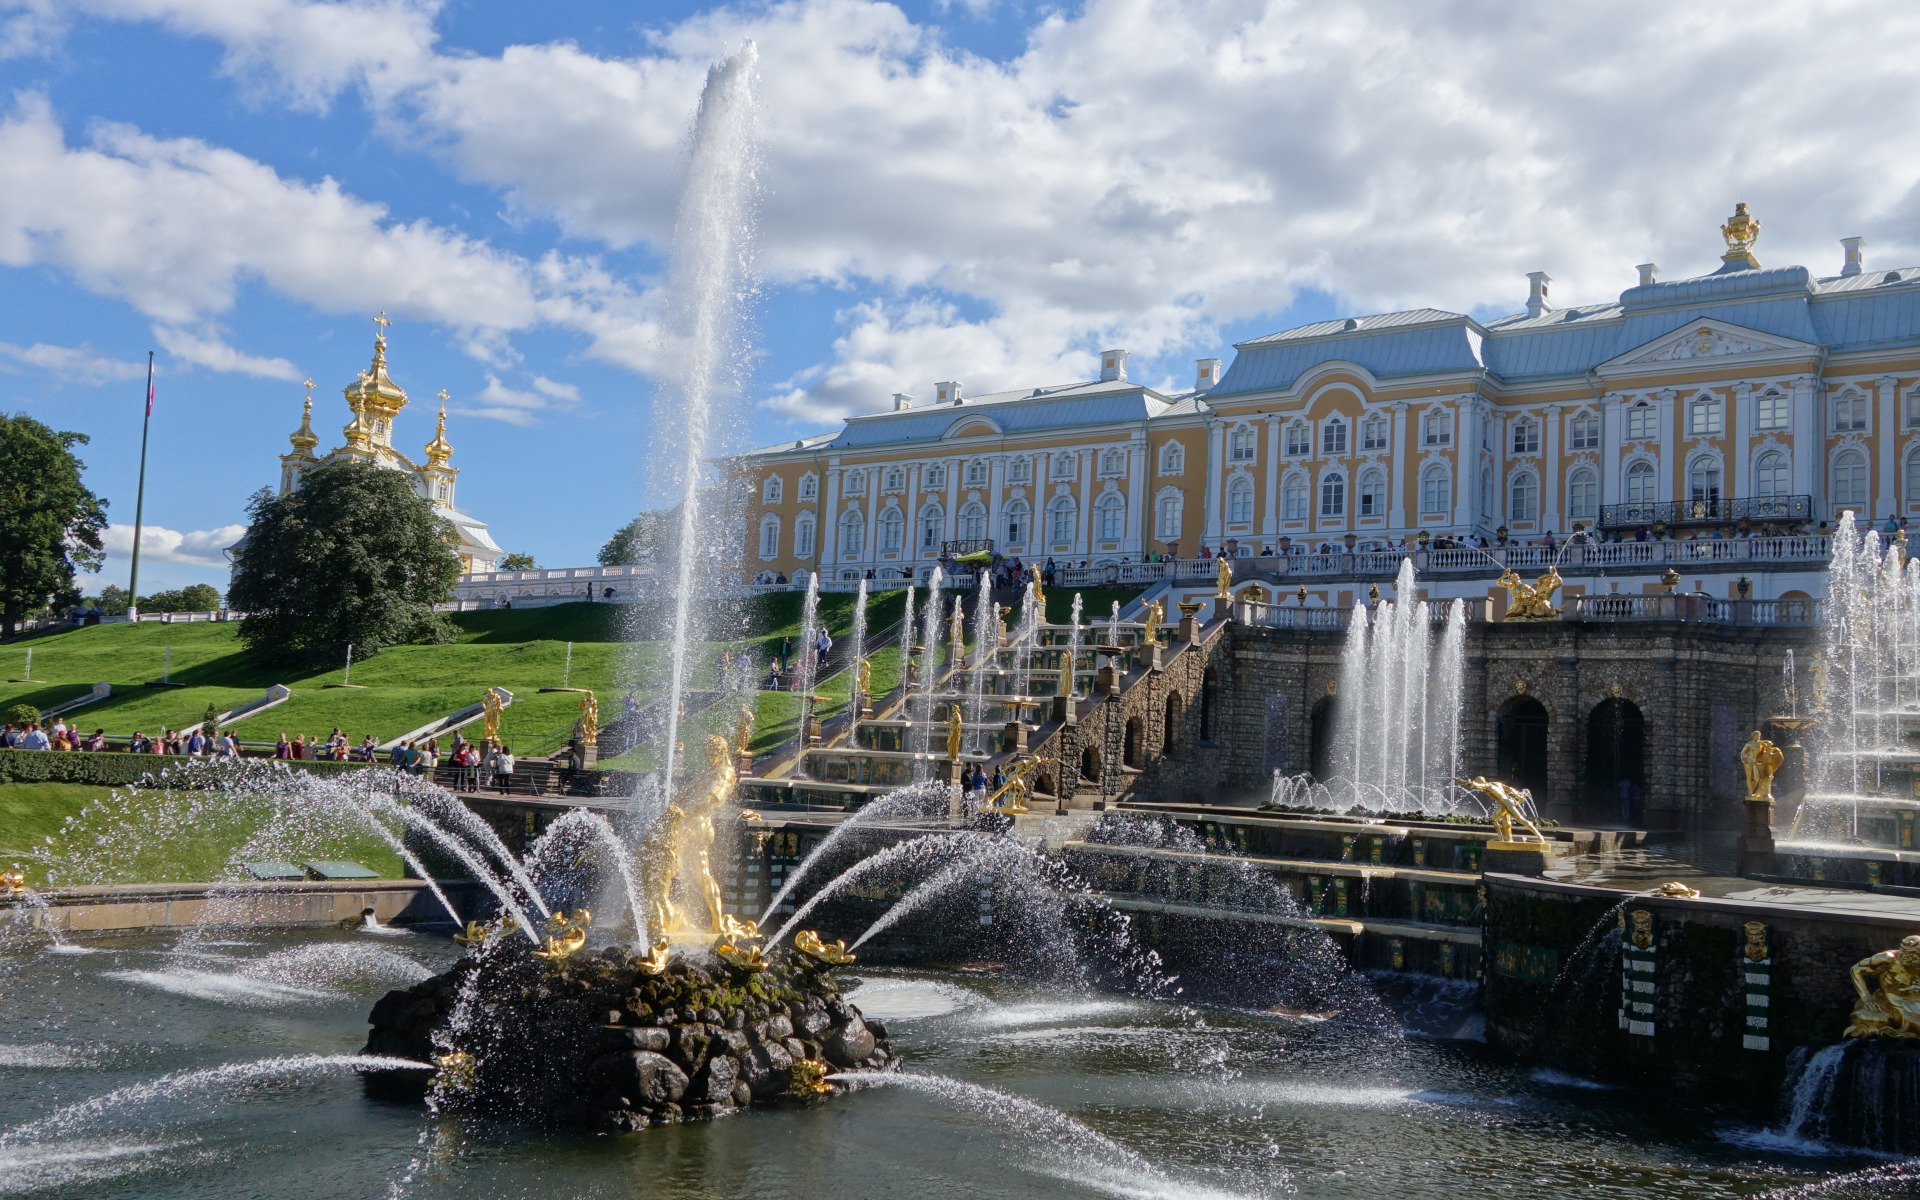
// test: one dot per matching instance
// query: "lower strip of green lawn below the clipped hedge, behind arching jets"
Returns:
(164, 838)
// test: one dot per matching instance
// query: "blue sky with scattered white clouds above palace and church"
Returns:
(949, 191)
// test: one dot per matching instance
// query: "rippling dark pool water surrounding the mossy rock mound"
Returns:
(1011, 1092)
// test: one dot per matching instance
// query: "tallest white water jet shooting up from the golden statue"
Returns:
(708, 289)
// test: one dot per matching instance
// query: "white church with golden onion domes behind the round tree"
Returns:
(375, 402)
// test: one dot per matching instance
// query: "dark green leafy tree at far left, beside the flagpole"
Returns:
(49, 521)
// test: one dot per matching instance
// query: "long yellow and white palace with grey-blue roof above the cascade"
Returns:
(1746, 402)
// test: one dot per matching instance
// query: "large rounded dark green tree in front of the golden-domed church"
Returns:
(354, 556)
